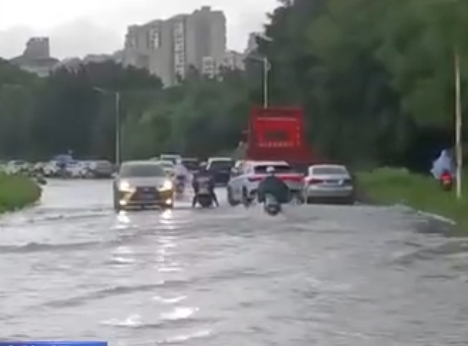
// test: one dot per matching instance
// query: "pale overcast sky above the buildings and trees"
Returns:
(81, 27)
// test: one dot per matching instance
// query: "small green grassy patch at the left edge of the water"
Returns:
(17, 191)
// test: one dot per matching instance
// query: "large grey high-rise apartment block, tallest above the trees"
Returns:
(167, 48)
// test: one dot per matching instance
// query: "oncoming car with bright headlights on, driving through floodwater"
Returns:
(142, 184)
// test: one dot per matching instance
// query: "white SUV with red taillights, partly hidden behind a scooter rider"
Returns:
(244, 183)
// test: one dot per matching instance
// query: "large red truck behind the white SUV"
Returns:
(277, 133)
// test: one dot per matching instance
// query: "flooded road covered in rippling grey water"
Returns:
(317, 275)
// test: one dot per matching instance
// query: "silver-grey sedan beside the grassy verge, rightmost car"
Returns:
(329, 182)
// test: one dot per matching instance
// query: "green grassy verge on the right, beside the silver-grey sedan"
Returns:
(391, 186)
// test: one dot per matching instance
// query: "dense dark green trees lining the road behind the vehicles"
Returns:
(376, 79)
